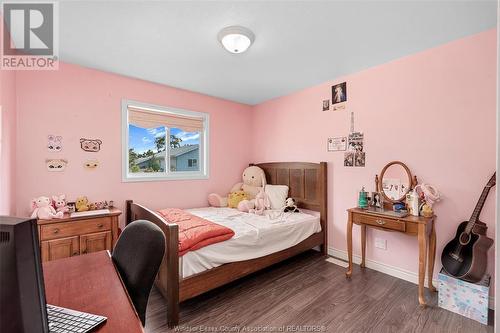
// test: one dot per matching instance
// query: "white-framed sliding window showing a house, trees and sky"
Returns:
(164, 151)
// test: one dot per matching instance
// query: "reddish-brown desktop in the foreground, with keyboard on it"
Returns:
(91, 284)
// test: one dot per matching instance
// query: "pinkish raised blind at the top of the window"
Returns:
(150, 119)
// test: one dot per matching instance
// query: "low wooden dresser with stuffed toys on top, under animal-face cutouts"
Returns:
(67, 237)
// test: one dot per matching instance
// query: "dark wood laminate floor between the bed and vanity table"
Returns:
(307, 290)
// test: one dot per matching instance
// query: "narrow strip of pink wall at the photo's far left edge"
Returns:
(8, 142)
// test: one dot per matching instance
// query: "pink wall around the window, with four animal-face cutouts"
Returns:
(78, 102)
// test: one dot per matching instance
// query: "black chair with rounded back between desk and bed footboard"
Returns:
(137, 256)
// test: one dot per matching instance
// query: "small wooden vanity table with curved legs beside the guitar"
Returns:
(421, 227)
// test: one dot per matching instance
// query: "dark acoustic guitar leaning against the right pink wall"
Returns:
(465, 256)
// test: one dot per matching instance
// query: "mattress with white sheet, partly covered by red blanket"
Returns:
(255, 236)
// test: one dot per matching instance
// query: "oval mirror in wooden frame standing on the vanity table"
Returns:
(395, 181)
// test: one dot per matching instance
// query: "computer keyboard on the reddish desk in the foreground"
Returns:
(62, 320)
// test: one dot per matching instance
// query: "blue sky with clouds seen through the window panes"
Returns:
(142, 139)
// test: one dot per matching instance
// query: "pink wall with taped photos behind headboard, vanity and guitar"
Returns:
(434, 110)
